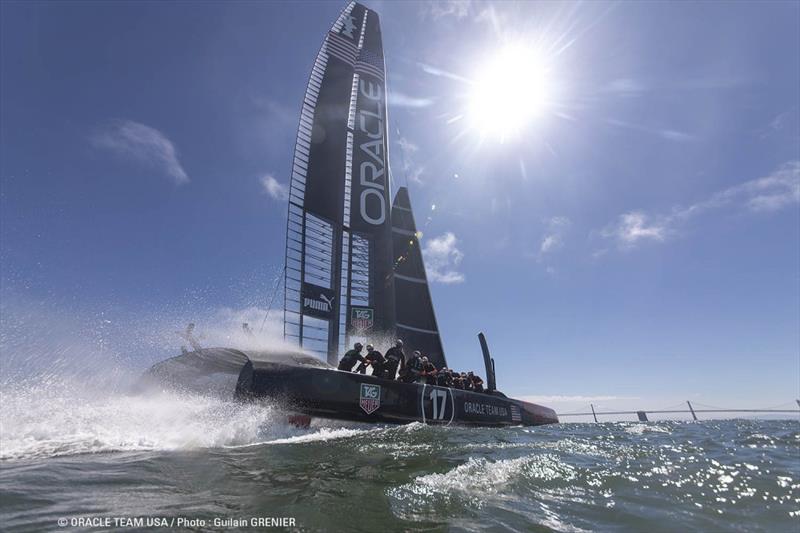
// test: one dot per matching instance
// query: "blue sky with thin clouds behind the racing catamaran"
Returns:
(633, 243)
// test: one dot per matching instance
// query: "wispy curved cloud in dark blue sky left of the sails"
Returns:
(144, 144)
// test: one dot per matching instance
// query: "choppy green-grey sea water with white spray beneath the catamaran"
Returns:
(69, 456)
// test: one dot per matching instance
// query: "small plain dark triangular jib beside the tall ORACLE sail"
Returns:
(415, 318)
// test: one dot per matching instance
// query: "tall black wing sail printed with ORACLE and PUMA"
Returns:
(339, 278)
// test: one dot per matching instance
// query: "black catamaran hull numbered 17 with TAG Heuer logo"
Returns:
(320, 391)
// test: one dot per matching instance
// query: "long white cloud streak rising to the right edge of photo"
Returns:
(769, 193)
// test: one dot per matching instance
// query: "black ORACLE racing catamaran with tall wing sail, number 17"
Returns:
(354, 269)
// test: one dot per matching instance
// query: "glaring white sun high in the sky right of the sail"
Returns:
(510, 90)
